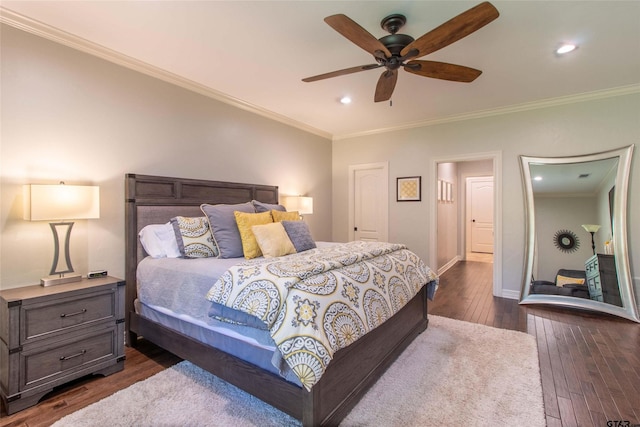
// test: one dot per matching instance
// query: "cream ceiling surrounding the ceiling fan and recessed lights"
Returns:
(254, 54)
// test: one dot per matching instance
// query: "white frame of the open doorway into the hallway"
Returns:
(496, 157)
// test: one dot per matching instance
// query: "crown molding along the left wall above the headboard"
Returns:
(48, 32)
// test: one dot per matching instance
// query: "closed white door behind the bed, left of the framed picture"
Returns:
(370, 202)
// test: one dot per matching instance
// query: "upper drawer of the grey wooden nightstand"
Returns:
(55, 316)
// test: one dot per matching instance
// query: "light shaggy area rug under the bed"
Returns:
(455, 373)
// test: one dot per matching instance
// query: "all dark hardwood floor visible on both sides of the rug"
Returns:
(589, 363)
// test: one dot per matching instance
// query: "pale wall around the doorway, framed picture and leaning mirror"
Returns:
(563, 130)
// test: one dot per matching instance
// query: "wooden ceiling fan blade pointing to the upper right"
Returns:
(453, 30)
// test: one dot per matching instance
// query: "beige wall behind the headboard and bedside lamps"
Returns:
(73, 117)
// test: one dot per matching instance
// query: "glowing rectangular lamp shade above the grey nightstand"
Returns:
(60, 202)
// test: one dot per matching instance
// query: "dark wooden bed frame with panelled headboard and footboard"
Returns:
(156, 199)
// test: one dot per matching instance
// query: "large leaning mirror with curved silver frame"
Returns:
(576, 253)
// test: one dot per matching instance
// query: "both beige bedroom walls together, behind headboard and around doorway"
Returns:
(70, 116)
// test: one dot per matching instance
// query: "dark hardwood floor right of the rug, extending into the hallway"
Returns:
(589, 362)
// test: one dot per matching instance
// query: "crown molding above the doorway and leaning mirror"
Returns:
(536, 105)
